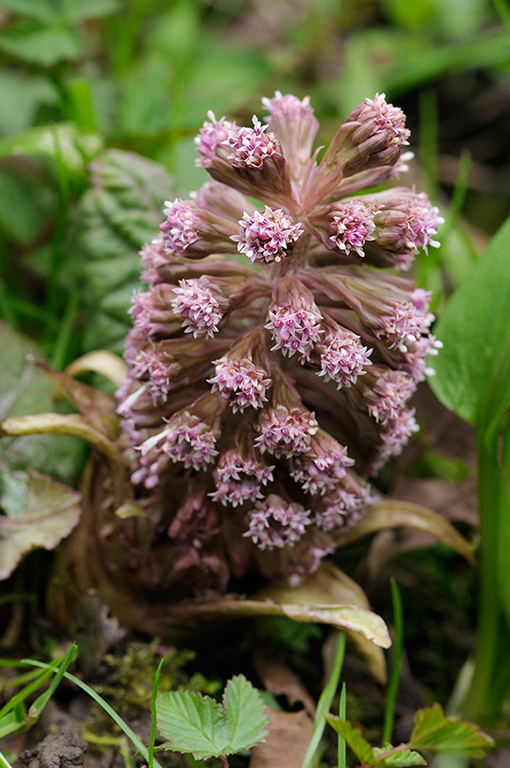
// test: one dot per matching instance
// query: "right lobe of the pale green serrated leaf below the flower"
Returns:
(246, 718)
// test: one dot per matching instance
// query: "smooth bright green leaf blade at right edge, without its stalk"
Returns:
(475, 331)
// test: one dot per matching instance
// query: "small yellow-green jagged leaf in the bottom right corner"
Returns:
(436, 732)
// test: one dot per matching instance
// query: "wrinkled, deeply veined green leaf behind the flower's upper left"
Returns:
(114, 218)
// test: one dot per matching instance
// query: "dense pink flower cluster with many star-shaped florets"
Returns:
(272, 354)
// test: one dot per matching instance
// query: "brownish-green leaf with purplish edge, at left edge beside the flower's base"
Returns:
(52, 511)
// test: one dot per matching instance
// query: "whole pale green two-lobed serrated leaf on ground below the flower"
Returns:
(199, 725)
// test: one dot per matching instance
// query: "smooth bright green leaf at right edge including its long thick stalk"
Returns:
(473, 379)
